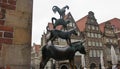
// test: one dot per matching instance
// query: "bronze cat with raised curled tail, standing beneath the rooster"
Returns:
(59, 22)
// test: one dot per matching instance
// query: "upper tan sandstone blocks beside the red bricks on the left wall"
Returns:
(20, 19)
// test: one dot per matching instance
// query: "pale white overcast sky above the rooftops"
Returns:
(42, 12)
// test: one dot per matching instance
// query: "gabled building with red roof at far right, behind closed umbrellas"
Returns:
(111, 38)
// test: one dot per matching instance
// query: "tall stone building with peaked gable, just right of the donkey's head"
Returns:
(90, 30)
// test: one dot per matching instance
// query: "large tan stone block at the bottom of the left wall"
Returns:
(16, 56)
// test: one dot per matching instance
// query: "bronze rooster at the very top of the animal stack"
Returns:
(60, 11)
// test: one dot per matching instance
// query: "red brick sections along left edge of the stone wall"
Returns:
(6, 32)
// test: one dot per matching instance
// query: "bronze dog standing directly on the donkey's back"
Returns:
(64, 35)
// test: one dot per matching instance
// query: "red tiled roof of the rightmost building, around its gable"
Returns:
(115, 22)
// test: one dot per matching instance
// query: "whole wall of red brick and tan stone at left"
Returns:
(15, 33)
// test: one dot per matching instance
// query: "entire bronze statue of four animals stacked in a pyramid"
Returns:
(56, 52)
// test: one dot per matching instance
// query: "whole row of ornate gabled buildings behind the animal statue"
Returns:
(88, 29)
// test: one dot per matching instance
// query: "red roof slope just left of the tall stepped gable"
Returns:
(81, 23)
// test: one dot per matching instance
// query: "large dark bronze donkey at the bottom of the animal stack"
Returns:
(61, 53)
